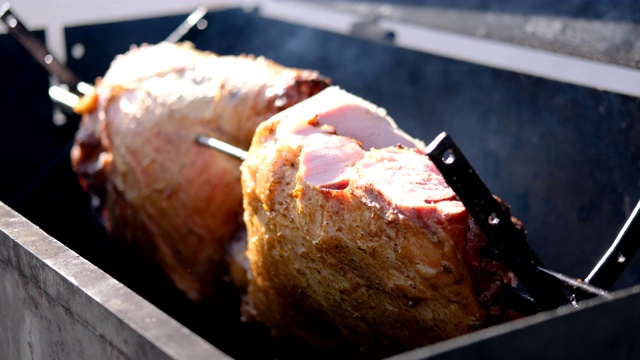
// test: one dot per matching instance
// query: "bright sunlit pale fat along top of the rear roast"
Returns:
(177, 77)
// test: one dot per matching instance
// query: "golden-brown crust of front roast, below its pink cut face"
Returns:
(329, 269)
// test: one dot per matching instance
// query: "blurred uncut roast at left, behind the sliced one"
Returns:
(158, 191)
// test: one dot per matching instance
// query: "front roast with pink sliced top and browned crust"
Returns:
(355, 237)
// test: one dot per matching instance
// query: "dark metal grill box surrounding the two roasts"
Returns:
(564, 156)
